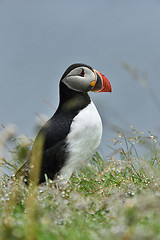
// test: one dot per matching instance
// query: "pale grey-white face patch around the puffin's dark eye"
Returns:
(80, 79)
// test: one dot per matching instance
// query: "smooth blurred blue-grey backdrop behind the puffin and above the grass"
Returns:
(40, 39)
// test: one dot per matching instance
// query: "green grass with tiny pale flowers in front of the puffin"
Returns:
(115, 198)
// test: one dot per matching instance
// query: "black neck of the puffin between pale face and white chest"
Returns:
(71, 100)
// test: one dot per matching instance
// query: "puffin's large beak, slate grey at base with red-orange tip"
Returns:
(102, 83)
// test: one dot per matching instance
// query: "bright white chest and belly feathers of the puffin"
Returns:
(83, 139)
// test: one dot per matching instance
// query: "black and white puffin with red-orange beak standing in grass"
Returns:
(69, 139)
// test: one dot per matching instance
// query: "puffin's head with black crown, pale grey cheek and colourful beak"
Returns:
(83, 78)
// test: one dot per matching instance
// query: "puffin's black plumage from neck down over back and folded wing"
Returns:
(57, 128)
